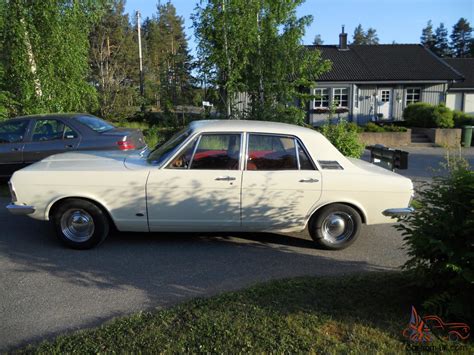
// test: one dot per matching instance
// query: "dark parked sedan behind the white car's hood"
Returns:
(25, 140)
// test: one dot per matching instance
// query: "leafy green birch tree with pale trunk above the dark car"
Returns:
(45, 56)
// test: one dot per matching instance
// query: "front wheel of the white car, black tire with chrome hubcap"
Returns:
(80, 224)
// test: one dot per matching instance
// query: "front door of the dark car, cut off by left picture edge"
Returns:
(12, 136)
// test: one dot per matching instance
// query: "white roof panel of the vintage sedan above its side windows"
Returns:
(248, 126)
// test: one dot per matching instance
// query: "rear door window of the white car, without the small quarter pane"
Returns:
(271, 152)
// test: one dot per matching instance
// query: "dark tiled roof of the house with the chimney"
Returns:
(384, 62)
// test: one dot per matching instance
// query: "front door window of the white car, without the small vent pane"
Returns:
(217, 152)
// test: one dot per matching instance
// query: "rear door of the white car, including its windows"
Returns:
(280, 183)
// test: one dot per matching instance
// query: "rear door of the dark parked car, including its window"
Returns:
(48, 137)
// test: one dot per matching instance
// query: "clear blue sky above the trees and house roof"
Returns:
(400, 21)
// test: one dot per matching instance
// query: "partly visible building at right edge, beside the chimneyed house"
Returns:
(461, 95)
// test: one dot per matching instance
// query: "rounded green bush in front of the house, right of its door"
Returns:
(424, 115)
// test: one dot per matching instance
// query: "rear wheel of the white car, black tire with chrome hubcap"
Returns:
(335, 227)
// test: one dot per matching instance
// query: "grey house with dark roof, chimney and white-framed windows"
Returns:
(376, 82)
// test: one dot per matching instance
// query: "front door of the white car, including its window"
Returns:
(199, 190)
